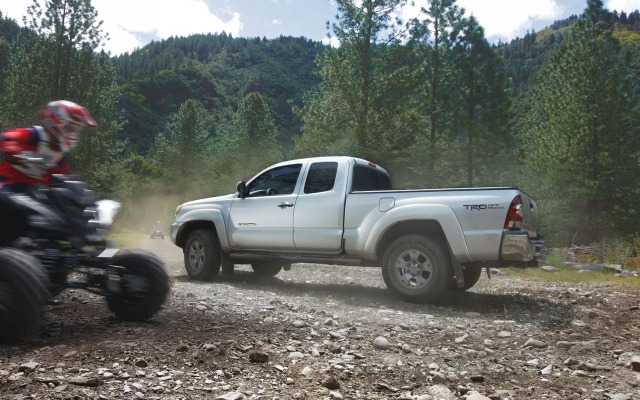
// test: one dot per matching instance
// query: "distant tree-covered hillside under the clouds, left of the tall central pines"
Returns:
(218, 71)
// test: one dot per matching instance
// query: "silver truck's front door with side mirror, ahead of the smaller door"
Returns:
(264, 219)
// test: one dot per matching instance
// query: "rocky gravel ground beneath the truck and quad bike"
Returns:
(330, 332)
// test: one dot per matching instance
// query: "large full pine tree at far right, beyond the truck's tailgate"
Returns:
(582, 144)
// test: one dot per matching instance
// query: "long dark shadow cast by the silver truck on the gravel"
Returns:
(522, 308)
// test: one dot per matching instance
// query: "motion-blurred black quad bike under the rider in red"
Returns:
(53, 239)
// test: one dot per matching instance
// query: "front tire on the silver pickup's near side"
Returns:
(202, 255)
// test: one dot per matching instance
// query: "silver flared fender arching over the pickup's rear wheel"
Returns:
(439, 213)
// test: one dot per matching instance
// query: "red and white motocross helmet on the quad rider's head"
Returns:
(66, 120)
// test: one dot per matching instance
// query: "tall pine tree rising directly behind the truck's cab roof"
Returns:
(358, 108)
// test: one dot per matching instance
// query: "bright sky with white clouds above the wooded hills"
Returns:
(133, 23)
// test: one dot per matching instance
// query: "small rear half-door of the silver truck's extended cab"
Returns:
(319, 212)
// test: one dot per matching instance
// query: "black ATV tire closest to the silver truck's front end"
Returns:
(144, 285)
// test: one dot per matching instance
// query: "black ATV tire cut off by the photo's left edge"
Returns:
(23, 291)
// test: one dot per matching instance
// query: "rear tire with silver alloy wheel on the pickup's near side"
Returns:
(416, 268)
